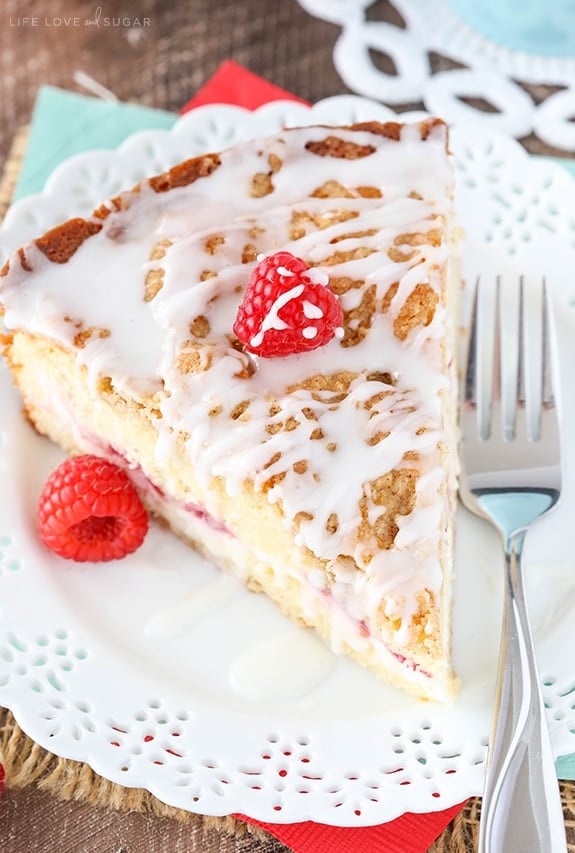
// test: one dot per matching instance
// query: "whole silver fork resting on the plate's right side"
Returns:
(512, 476)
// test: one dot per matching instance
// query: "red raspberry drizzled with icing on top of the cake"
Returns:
(287, 308)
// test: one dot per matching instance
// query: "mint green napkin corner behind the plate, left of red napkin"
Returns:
(66, 123)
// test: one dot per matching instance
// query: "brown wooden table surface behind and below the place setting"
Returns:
(160, 61)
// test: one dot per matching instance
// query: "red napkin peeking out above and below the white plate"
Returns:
(410, 833)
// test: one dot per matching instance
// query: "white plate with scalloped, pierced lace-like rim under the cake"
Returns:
(162, 674)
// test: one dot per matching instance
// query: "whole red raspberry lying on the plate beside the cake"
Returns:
(89, 510)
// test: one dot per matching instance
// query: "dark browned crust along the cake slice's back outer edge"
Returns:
(60, 243)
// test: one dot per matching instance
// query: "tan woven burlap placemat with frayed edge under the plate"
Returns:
(26, 763)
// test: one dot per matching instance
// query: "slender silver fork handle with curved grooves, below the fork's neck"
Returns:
(521, 806)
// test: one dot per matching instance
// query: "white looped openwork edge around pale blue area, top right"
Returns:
(491, 71)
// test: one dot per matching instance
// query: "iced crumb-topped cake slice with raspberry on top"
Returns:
(324, 472)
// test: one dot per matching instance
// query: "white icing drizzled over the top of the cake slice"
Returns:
(102, 286)
